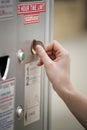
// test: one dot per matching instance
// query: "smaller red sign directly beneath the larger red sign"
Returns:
(31, 18)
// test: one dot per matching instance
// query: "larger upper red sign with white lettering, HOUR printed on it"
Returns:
(30, 8)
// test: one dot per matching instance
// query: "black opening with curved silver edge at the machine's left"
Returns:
(4, 66)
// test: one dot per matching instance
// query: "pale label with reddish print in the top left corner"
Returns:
(6, 8)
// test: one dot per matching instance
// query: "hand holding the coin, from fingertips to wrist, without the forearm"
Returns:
(57, 64)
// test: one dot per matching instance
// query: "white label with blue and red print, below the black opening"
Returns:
(7, 97)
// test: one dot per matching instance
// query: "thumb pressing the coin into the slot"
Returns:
(43, 55)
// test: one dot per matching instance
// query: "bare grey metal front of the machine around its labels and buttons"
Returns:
(15, 42)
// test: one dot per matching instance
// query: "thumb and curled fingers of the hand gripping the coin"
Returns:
(50, 53)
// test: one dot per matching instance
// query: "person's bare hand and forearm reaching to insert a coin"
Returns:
(56, 61)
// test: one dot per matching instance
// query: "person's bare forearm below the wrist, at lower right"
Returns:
(77, 103)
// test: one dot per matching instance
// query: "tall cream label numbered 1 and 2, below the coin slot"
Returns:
(32, 93)
